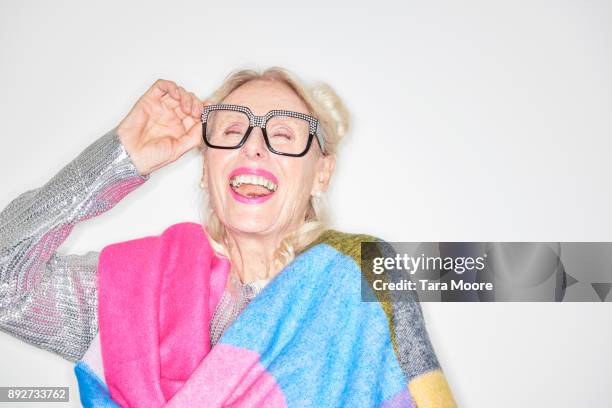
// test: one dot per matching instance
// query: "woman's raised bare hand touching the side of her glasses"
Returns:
(163, 125)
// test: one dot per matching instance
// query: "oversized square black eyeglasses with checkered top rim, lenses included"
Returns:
(285, 132)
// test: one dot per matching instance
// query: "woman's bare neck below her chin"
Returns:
(252, 255)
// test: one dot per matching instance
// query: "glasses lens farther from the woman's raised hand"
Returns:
(288, 134)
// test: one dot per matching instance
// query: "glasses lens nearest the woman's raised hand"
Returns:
(226, 128)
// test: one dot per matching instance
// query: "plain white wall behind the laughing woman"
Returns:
(473, 121)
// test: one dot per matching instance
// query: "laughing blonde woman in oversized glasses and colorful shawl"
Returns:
(261, 307)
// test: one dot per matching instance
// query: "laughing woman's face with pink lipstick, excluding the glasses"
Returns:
(255, 209)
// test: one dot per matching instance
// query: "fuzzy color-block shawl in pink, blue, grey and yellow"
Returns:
(307, 340)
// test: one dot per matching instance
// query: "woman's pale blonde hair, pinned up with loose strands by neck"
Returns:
(324, 104)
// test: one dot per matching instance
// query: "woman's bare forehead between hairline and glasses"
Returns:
(262, 96)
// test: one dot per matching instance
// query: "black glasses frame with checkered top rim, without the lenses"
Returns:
(314, 128)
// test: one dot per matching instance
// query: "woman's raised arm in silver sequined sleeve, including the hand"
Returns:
(49, 299)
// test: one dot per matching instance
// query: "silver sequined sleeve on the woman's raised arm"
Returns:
(46, 298)
